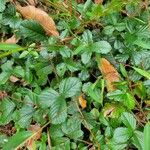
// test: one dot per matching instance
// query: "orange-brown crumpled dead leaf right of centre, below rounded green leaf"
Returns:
(109, 73)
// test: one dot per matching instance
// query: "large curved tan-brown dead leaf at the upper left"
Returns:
(31, 12)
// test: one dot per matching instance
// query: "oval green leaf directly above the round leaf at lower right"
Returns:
(128, 120)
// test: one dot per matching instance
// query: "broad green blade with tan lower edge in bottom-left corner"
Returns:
(17, 140)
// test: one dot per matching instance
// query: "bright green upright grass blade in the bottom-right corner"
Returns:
(147, 136)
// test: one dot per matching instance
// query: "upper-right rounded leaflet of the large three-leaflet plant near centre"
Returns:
(70, 87)
